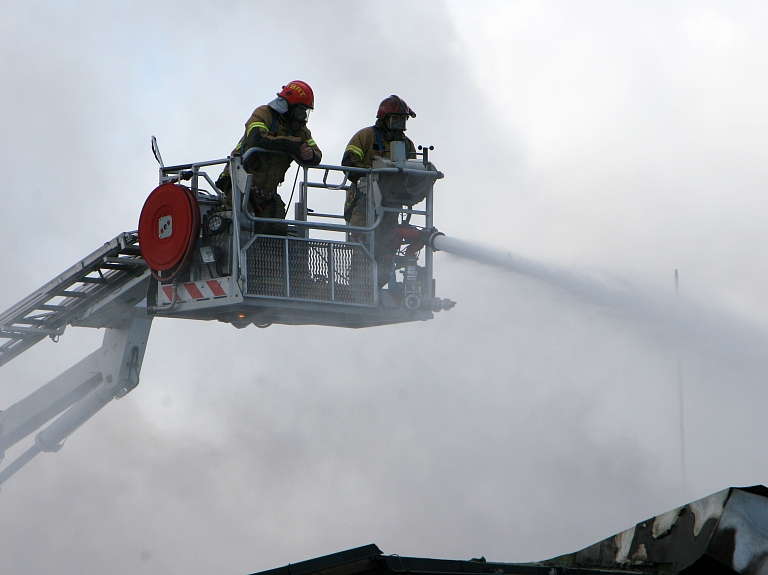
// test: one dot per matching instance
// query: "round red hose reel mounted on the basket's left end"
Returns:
(169, 228)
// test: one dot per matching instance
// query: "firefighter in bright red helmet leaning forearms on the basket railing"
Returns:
(280, 126)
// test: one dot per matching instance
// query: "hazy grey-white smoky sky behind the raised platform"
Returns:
(616, 140)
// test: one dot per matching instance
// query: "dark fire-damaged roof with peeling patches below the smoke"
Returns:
(722, 534)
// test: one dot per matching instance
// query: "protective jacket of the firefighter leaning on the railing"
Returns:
(272, 131)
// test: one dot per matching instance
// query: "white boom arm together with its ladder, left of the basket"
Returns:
(101, 290)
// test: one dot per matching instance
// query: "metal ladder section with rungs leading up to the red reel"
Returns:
(47, 311)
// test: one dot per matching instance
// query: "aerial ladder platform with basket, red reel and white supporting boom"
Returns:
(200, 253)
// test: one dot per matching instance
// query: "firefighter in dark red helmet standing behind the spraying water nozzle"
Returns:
(365, 145)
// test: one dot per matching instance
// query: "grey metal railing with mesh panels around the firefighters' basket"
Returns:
(245, 243)
